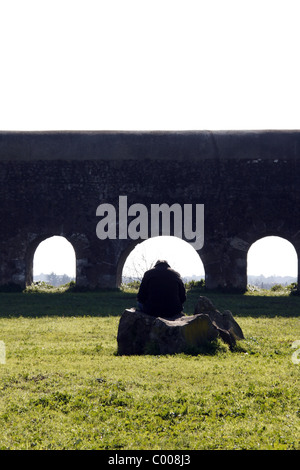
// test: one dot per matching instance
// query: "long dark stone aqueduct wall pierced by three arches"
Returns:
(53, 182)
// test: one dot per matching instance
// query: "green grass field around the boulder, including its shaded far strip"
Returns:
(63, 386)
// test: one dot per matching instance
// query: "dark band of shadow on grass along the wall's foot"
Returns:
(113, 302)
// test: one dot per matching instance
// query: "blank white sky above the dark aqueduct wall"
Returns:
(149, 65)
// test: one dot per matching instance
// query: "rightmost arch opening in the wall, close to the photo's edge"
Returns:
(271, 260)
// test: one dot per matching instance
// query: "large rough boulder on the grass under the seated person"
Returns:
(139, 333)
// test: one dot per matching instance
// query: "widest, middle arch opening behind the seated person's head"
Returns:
(180, 255)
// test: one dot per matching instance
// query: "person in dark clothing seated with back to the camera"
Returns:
(162, 292)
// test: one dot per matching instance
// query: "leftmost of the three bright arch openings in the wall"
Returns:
(54, 261)
